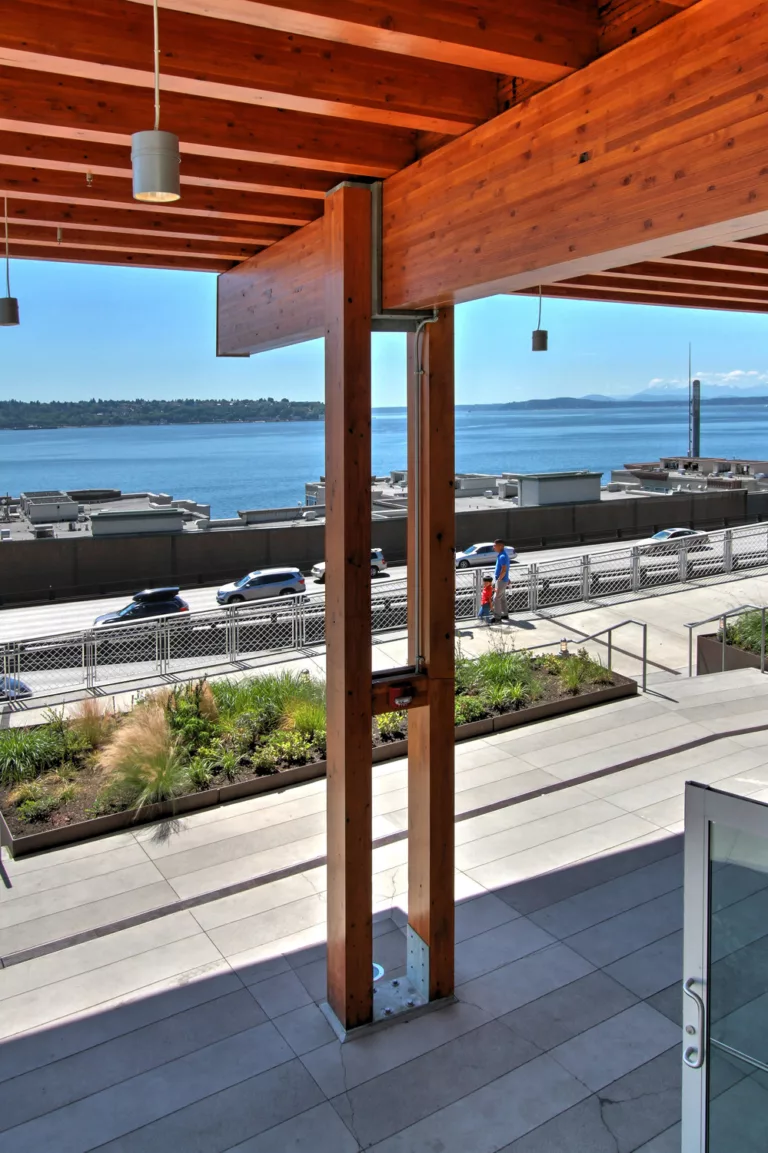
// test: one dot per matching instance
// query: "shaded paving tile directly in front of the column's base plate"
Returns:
(341, 1068)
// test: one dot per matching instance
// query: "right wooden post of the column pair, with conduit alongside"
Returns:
(432, 594)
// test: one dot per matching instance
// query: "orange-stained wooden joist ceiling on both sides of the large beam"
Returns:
(275, 103)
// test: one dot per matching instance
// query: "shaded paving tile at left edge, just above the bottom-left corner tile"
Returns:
(87, 1073)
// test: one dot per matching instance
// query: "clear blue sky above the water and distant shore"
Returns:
(130, 333)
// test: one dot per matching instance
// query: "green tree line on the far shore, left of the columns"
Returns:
(56, 415)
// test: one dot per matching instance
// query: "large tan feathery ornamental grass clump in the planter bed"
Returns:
(145, 760)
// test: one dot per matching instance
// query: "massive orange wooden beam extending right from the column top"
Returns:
(654, 149)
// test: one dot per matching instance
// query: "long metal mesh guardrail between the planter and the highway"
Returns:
(97, 659)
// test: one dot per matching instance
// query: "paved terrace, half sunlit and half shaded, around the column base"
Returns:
(154, 1013)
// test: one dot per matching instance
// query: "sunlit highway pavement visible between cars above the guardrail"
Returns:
(70, 616)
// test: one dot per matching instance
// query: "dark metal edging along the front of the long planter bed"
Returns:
(116, 823)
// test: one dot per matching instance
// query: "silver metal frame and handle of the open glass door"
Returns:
(704, 807)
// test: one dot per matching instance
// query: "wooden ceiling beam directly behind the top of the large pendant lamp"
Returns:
(270, 135)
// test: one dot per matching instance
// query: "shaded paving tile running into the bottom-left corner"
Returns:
(134, 1104)
